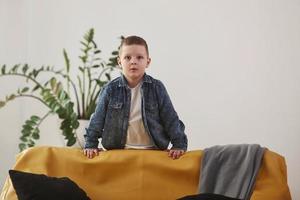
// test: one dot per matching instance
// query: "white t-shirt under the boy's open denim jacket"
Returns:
(137, 136)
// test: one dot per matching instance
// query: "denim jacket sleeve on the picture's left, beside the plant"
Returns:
(95, 128)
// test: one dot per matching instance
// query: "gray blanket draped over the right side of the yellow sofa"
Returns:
(230, 170)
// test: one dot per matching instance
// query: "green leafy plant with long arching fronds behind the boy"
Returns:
(59, 93)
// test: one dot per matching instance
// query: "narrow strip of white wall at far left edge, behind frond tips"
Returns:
(13, 49)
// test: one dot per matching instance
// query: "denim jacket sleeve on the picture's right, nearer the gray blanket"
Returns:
(173, 126)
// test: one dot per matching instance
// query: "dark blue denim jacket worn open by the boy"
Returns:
(110, 119)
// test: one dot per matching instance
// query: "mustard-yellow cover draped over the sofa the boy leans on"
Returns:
(139, 174)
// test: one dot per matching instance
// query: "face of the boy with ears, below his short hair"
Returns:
(133, 60)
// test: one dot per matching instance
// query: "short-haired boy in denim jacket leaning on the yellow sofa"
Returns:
(134, 111)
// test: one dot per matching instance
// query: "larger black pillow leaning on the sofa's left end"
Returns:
(30, 186)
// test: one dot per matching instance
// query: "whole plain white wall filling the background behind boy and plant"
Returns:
(232, 67)
